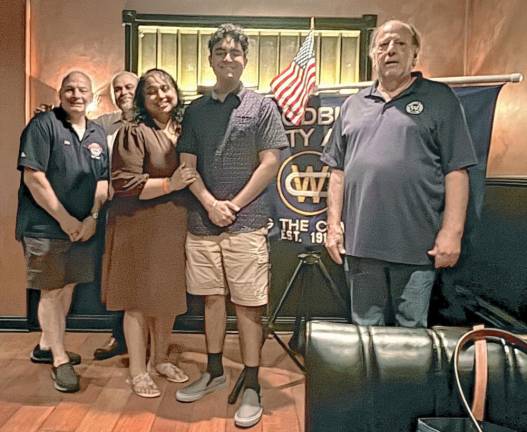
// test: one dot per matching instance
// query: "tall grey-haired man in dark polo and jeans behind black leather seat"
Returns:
(398, 188)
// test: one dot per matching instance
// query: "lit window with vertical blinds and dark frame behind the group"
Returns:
(181, 48)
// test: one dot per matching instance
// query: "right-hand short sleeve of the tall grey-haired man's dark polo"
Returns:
(453, 137)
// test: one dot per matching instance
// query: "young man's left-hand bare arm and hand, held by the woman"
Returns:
(221, 213)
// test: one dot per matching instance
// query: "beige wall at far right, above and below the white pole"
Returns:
(498, 43)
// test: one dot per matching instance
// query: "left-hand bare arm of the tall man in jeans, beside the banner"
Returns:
(335, 235)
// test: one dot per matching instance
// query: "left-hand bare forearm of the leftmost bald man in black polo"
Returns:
(44, 195)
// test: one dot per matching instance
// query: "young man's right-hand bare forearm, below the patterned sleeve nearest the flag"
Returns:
(260, 179)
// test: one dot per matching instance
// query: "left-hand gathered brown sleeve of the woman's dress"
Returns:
(128, 178)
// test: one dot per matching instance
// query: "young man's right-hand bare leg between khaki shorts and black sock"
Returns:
(251, 333)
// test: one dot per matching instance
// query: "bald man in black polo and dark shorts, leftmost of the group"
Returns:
(64, 162)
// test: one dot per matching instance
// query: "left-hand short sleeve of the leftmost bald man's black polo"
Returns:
(35, 145)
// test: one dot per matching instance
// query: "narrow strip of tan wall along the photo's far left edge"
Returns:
(12, 107)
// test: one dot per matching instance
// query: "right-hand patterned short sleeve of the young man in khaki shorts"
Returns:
(270, 131)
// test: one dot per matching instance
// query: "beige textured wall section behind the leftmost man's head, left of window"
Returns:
(66, 35)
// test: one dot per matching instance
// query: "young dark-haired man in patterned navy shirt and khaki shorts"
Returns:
(233, 137)
